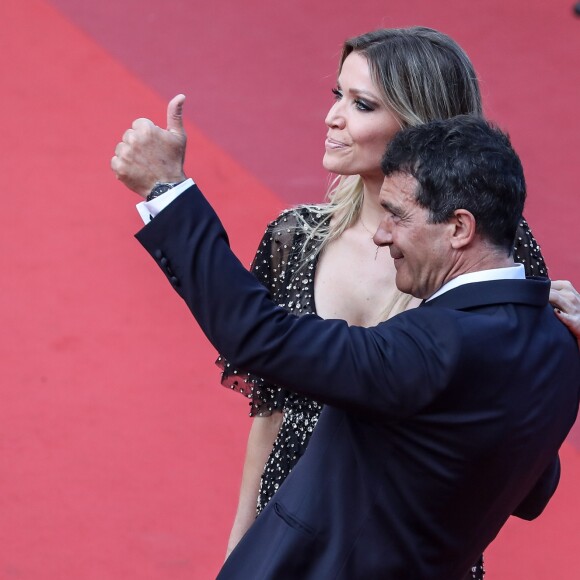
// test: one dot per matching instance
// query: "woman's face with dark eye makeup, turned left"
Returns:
(359, 124)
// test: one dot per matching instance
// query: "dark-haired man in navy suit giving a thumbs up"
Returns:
(438, 424)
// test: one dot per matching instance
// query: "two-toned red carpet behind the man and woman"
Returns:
(120, 455)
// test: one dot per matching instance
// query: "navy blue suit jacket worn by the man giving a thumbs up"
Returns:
(438, 425)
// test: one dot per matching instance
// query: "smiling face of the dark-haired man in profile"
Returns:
(421, 251)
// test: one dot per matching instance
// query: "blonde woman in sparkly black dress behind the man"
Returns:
(322, 258)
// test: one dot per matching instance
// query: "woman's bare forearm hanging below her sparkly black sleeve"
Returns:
(261, 439)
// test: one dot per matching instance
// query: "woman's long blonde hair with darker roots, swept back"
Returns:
(422, 75)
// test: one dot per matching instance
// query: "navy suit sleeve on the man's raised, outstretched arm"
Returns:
(391, 370)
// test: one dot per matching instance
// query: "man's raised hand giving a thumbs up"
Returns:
(149, 154)
